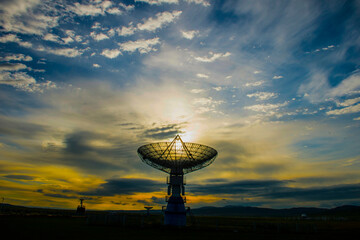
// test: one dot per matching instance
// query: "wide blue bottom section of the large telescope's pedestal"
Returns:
(175, 213)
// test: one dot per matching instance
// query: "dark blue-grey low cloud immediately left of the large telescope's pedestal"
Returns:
(125, 186)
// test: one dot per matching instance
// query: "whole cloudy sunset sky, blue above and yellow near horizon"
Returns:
(273, 86)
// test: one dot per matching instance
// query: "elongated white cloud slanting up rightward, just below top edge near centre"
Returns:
(160, 20)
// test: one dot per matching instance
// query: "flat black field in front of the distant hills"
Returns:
(138, 226)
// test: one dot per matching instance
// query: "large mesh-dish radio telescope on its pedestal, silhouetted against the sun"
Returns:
(176, 158)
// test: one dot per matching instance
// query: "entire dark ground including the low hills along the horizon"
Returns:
(35, 223)
